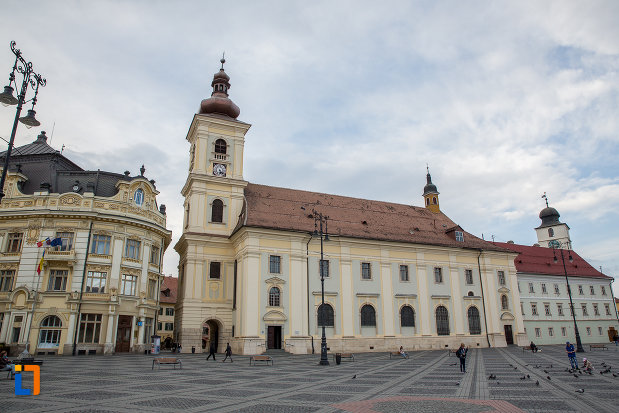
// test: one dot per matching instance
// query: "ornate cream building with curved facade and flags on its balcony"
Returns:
(96, 288)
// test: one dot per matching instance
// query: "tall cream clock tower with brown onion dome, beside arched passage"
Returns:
(213, 200)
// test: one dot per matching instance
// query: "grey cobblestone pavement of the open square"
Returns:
(429, 381)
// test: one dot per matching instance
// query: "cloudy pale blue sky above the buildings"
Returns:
(503, 100)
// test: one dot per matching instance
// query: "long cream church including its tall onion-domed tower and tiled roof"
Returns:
(394, 275)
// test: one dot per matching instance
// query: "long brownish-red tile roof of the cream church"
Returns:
(280, 209)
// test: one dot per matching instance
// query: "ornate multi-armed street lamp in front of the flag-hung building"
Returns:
(32, 79)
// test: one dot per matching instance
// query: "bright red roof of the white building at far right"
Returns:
(540, 260)
